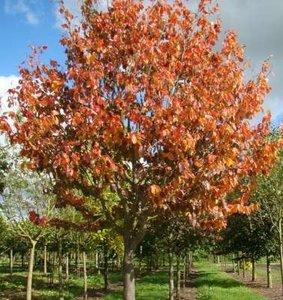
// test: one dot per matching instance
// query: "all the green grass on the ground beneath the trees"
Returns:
(212, 284)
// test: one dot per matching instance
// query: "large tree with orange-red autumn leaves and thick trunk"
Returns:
(147, 107)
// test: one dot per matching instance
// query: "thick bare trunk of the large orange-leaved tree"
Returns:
(128, 271)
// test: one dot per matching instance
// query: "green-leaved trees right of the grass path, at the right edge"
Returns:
(259, 234)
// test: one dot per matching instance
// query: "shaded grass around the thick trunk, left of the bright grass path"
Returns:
(149, 287)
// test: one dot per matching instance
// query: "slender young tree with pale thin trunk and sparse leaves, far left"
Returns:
(27, 206)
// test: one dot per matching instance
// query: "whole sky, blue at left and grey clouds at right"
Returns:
(259, 24)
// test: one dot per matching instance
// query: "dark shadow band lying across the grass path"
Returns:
(226, 283)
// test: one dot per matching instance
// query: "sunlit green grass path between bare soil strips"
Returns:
(214, 284)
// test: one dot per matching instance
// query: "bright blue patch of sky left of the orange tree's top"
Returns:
(25, 23)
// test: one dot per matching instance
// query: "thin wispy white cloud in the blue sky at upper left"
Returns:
(14, 7)
